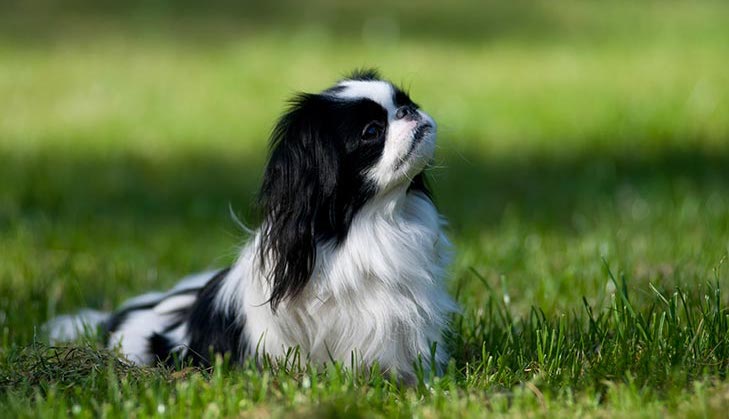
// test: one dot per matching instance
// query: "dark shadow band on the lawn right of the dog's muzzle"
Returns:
(552, 192)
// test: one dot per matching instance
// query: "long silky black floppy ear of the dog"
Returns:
(298, 195)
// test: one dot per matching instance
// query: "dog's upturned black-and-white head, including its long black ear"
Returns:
(332, 153)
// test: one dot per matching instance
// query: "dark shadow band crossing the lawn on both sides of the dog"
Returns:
(474, 195)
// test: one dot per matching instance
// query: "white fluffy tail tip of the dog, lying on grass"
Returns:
(70, 327)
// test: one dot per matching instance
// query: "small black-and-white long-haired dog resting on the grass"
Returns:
(348, 263)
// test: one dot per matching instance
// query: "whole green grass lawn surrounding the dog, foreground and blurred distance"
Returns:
(583, 165)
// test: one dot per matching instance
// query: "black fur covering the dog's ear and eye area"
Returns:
(314, 183)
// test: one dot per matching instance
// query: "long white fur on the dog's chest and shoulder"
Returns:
(379, 294)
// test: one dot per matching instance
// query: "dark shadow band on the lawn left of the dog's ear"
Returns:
(69, 188)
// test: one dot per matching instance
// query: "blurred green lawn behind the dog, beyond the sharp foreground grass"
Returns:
(570, 132)
